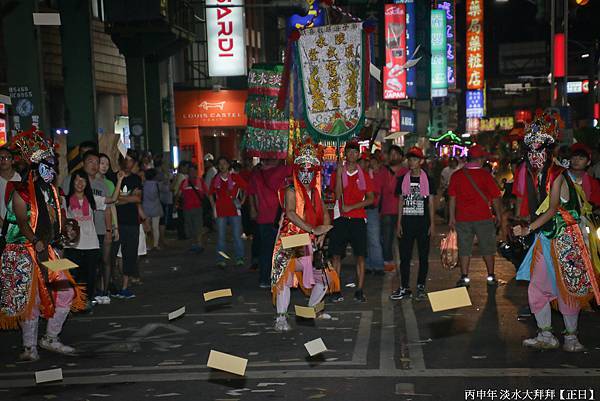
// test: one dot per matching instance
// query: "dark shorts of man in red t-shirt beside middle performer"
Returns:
(348, 231)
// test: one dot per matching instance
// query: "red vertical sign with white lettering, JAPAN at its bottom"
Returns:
(394, 75)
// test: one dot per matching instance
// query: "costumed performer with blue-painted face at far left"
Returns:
(34, 226)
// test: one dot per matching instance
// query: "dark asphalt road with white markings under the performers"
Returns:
(379, 350)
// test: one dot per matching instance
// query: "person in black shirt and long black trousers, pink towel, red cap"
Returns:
(415, 222)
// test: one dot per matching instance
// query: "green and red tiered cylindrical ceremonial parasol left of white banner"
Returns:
(267, 131)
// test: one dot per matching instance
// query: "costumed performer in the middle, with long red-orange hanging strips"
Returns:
(303, 212)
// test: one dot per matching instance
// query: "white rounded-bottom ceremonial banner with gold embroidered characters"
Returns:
(331, 66)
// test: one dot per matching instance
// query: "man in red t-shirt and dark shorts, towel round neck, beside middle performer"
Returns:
(353, 192)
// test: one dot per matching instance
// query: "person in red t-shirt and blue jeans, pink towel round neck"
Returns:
(226, 197)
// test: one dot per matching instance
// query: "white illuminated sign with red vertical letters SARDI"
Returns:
(226, 34)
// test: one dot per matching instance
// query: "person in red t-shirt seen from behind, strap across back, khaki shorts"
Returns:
(471, 191)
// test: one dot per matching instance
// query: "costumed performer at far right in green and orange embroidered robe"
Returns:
(558, 265)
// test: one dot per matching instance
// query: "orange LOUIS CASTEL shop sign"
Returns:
(207, 108)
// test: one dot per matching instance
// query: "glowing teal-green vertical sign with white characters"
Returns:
(439, 80)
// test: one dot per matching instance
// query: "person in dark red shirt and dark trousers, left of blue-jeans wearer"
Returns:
(193, 191)
